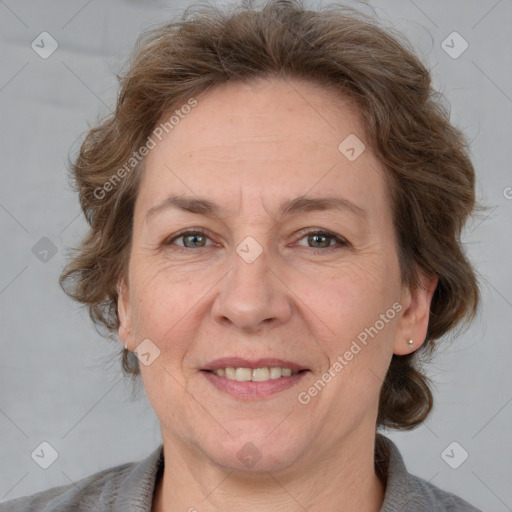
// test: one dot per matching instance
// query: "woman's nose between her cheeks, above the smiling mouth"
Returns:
(252, 296)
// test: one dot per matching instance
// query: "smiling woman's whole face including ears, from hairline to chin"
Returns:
(258, 244)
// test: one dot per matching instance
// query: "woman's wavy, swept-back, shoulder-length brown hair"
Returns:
(430, 176)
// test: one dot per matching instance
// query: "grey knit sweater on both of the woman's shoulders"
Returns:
(129, 488)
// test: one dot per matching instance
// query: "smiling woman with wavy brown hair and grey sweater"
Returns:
(275, 211)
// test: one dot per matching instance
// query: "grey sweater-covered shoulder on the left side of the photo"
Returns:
(109, 490)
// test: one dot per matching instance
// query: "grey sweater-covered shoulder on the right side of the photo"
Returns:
(408, 492)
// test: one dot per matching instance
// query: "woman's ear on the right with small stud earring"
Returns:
(414, 321)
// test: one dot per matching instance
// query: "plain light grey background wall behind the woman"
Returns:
(61, 383)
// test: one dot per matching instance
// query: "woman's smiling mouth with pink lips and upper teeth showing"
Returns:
(260, 378)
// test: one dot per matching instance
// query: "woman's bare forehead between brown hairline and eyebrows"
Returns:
(271, 140)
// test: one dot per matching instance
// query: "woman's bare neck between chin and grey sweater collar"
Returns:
(342, 479)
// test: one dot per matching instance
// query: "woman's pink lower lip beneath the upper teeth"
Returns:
(253, 390)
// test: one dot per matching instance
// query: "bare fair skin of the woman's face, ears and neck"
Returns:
(248, 148)
